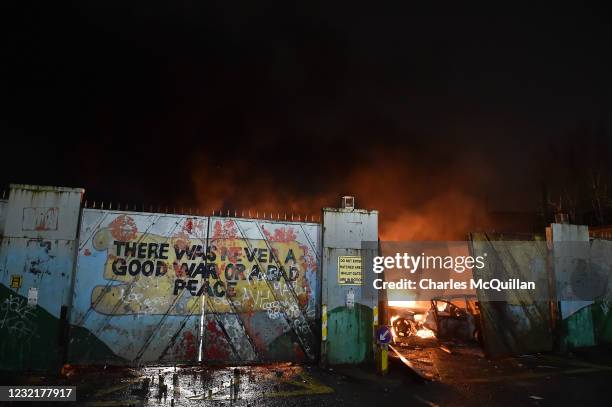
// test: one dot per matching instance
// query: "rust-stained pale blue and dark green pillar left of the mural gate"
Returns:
(36, 266)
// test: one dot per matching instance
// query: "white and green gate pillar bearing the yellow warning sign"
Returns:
(349, 328)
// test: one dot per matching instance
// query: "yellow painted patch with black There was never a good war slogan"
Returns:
(157, 275)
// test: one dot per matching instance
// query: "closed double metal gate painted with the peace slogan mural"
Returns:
(158, 287)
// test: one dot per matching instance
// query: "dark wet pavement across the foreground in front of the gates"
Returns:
(460, 378)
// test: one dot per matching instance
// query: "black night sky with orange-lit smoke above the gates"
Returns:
(434, 117)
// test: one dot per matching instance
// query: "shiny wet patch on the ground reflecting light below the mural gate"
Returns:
(184, 386)
